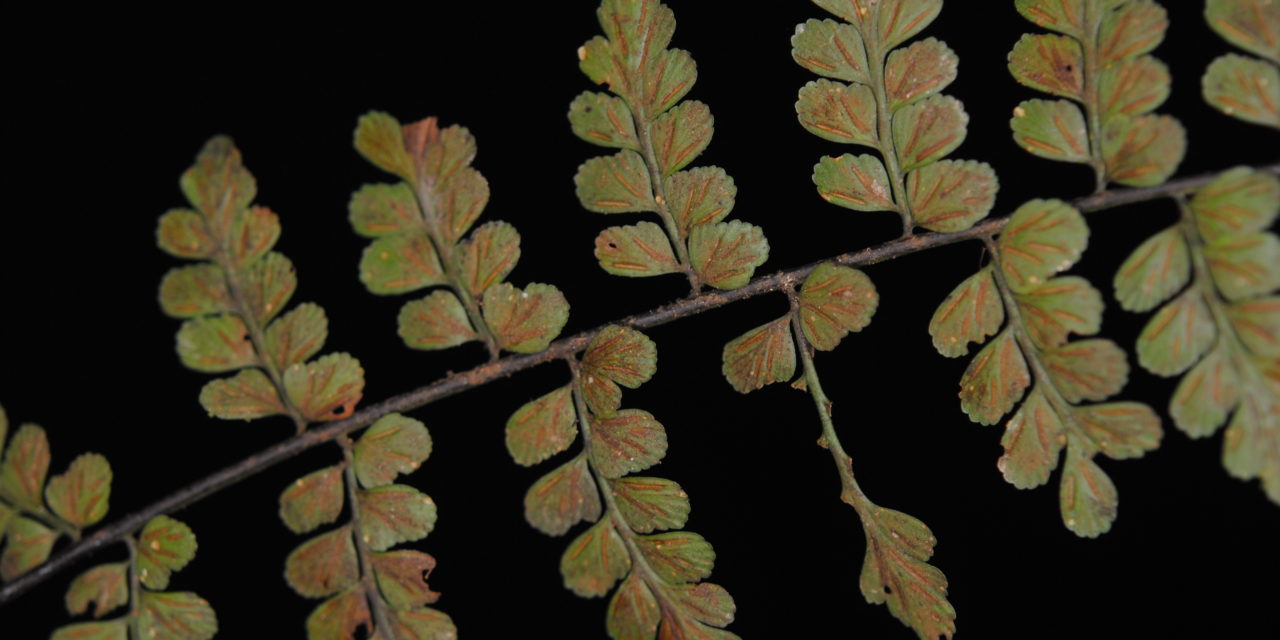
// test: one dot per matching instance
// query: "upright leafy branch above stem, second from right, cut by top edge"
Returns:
(1114, 134)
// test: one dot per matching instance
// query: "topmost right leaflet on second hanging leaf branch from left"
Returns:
(395, 445)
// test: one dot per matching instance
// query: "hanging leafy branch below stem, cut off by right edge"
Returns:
(1217, 273)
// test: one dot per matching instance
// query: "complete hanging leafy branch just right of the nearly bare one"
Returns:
(1032, 356)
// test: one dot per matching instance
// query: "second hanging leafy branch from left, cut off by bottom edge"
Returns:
(364, 583)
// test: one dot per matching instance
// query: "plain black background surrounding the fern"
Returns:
(106, 112)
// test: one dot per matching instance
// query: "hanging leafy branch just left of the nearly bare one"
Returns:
(661, 574)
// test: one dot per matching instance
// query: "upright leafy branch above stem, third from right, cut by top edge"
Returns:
(913, 130)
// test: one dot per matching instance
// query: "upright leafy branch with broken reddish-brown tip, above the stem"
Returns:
(420, 230)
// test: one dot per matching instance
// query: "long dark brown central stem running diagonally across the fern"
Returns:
(559, 350)
